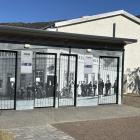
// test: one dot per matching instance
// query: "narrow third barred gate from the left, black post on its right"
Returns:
(68, 80)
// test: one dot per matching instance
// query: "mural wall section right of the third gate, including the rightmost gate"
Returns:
(99, 78)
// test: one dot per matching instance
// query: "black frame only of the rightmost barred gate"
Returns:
(118, 64)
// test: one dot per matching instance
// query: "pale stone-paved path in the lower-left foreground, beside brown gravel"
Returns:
(46, 132)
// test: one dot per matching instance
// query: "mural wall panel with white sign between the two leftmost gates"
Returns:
(25, 81)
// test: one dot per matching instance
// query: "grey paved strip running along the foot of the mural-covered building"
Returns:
(37, 117)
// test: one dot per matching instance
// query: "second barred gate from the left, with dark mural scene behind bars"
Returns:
(45, 79)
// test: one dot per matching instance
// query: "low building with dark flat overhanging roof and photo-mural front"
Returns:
(54, 69)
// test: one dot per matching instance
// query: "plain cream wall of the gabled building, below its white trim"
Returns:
(125, 28)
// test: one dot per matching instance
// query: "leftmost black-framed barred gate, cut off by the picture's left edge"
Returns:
(8, 69)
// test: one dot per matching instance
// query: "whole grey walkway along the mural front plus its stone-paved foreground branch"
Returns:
(34, 124)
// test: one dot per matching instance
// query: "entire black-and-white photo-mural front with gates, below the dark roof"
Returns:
(59, 77)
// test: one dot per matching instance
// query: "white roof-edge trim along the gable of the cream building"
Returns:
(94, 17)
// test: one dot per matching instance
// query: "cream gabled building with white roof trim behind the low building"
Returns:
(113, 24)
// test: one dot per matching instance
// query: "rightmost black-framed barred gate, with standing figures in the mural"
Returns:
(108, 80)
